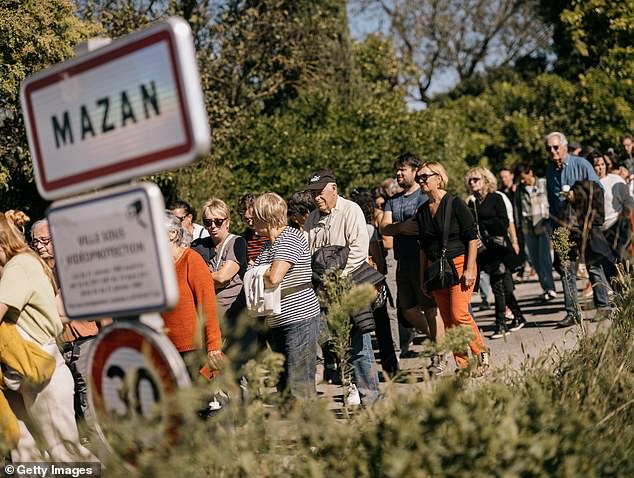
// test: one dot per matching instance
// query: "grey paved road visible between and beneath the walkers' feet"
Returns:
(539, 335)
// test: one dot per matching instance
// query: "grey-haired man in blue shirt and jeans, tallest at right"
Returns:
(562, 172)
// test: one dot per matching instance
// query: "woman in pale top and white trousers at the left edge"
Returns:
(27, 299)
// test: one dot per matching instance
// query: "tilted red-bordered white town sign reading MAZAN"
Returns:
(131, 108)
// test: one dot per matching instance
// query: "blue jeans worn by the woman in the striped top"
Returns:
(298, 343)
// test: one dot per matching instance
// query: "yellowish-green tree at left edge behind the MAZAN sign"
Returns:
(33, 36)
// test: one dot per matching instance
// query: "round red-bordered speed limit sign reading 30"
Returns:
(135, 373)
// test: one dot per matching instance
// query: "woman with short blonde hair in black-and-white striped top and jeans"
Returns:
(293, 332)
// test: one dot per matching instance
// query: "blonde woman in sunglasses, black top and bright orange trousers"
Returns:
(461, 246)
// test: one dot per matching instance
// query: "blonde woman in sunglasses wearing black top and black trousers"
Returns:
(495, 250)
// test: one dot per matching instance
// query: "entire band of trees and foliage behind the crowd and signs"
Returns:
(287, 91)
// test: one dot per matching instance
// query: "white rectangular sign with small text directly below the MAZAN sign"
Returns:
(112, 253)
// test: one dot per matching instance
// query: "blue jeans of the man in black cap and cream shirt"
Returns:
(366, 376)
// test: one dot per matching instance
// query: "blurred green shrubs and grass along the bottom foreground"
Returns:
(566, 413)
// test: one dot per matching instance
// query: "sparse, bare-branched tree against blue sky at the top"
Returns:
(457, 38)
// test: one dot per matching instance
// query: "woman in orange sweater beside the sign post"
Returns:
(197, 298)
